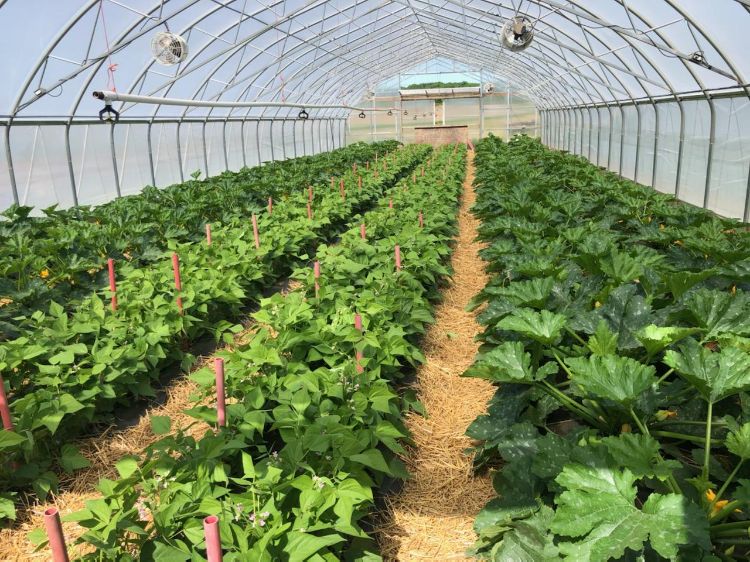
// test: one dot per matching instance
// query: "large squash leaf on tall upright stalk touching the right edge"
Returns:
(714, 375)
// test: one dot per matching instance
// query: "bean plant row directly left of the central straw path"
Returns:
(313, 424)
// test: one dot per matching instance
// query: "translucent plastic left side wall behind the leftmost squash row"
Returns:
(90, 163)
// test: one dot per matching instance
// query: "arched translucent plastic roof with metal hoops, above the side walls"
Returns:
(329, 52)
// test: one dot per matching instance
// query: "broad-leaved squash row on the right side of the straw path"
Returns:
(617, 328)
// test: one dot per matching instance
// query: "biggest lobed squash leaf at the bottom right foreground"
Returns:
(599, 509)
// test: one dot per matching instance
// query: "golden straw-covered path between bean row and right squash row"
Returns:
(432, 517)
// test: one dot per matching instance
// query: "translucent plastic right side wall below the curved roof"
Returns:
(695, 149)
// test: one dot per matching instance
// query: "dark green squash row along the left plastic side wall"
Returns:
(62, 256)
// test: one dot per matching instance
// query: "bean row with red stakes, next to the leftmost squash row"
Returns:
(73, 368)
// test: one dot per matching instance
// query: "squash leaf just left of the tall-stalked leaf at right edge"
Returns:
(616, 378)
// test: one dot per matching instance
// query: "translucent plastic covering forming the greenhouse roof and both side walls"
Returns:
(656, 90)
